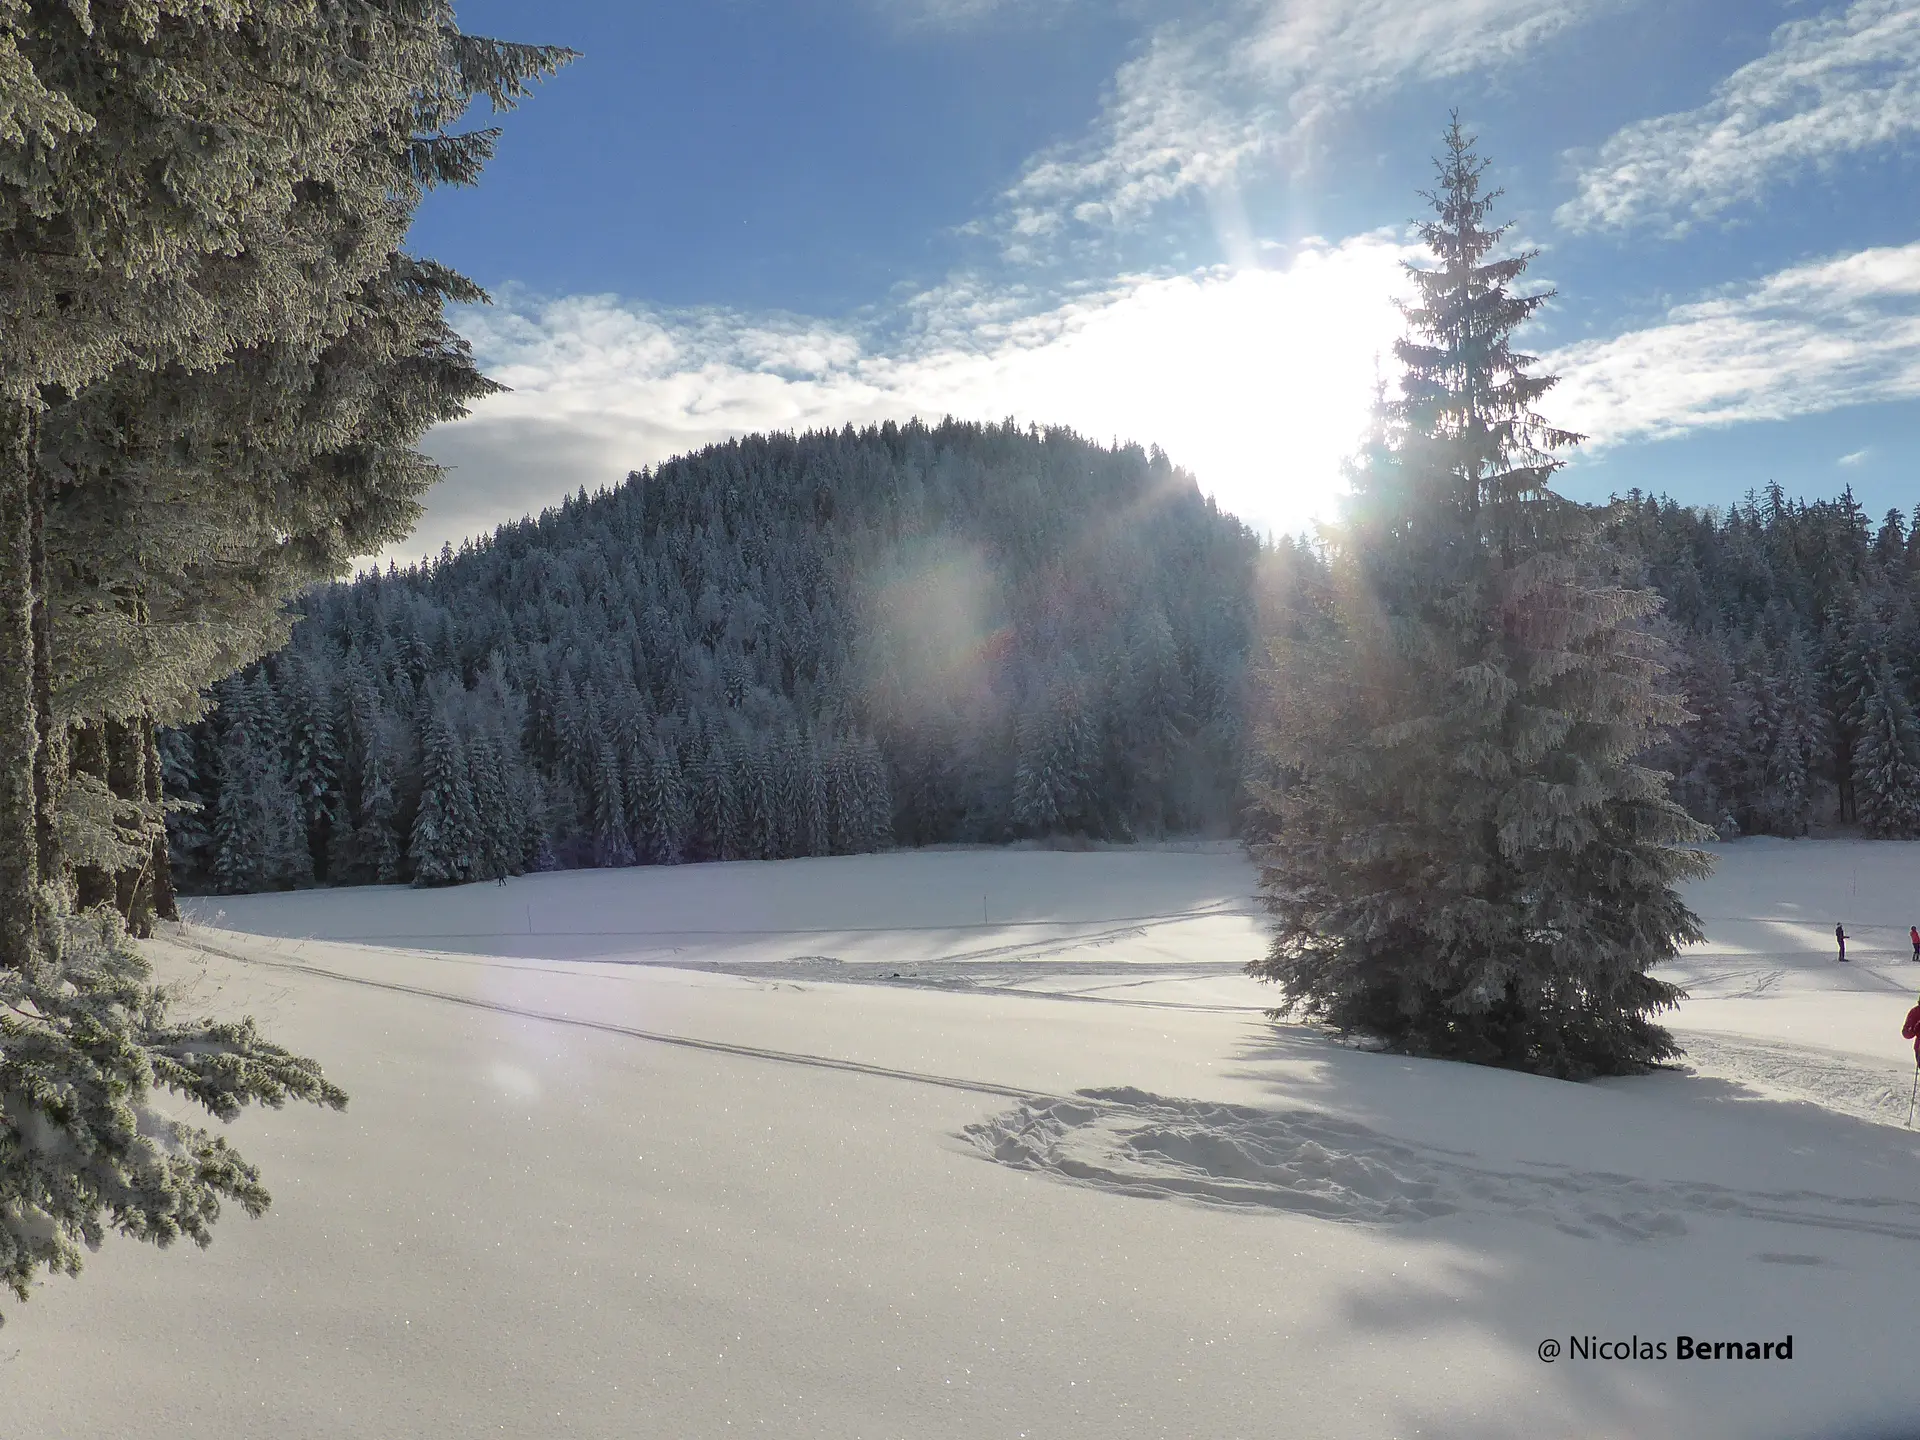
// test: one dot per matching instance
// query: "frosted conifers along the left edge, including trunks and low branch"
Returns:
(214, 362)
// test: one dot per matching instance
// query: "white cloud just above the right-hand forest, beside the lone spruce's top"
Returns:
(1804, 341)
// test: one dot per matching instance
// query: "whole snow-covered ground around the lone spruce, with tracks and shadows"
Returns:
(997, 1143)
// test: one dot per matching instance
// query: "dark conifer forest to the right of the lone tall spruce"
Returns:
(1798, 650)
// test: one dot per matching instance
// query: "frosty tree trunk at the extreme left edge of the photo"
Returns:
(20, 731)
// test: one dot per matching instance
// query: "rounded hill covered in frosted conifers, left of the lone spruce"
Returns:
(780, 646)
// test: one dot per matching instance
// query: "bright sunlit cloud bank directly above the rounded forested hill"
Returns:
(1257, 379)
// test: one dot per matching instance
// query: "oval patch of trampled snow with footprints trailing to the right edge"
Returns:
(1145, 1145)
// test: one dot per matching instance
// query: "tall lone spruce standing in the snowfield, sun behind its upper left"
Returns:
(1464, 855)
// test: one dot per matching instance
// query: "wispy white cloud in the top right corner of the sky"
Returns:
(1829, 87)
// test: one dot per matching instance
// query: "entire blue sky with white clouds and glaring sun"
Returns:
(1182, 226)
